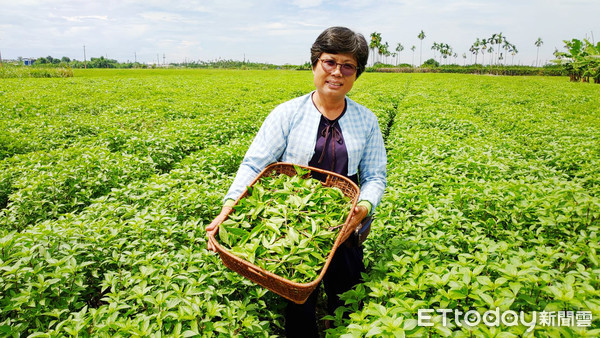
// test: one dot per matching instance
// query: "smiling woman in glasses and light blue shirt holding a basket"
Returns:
(327, 130)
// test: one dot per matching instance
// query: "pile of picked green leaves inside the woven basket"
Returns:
(286, 225)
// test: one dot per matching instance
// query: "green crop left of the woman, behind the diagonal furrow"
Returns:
(64, 149)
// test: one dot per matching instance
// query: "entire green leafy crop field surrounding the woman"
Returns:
(108, 178)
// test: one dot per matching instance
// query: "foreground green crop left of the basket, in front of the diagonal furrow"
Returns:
(133, 262)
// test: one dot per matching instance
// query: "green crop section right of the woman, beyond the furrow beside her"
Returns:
(493, 202)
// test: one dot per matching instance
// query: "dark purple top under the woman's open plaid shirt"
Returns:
(330, 150)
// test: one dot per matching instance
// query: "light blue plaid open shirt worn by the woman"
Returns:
(289, 134)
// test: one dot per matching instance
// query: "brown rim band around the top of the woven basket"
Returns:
(342, 232)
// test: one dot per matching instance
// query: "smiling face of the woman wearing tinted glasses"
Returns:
(334, 84)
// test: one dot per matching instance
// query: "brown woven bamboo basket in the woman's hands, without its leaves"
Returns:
(296, 292)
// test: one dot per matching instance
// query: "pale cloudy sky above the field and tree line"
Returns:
(282, 32)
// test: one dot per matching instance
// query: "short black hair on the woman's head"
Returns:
(338, 40)
